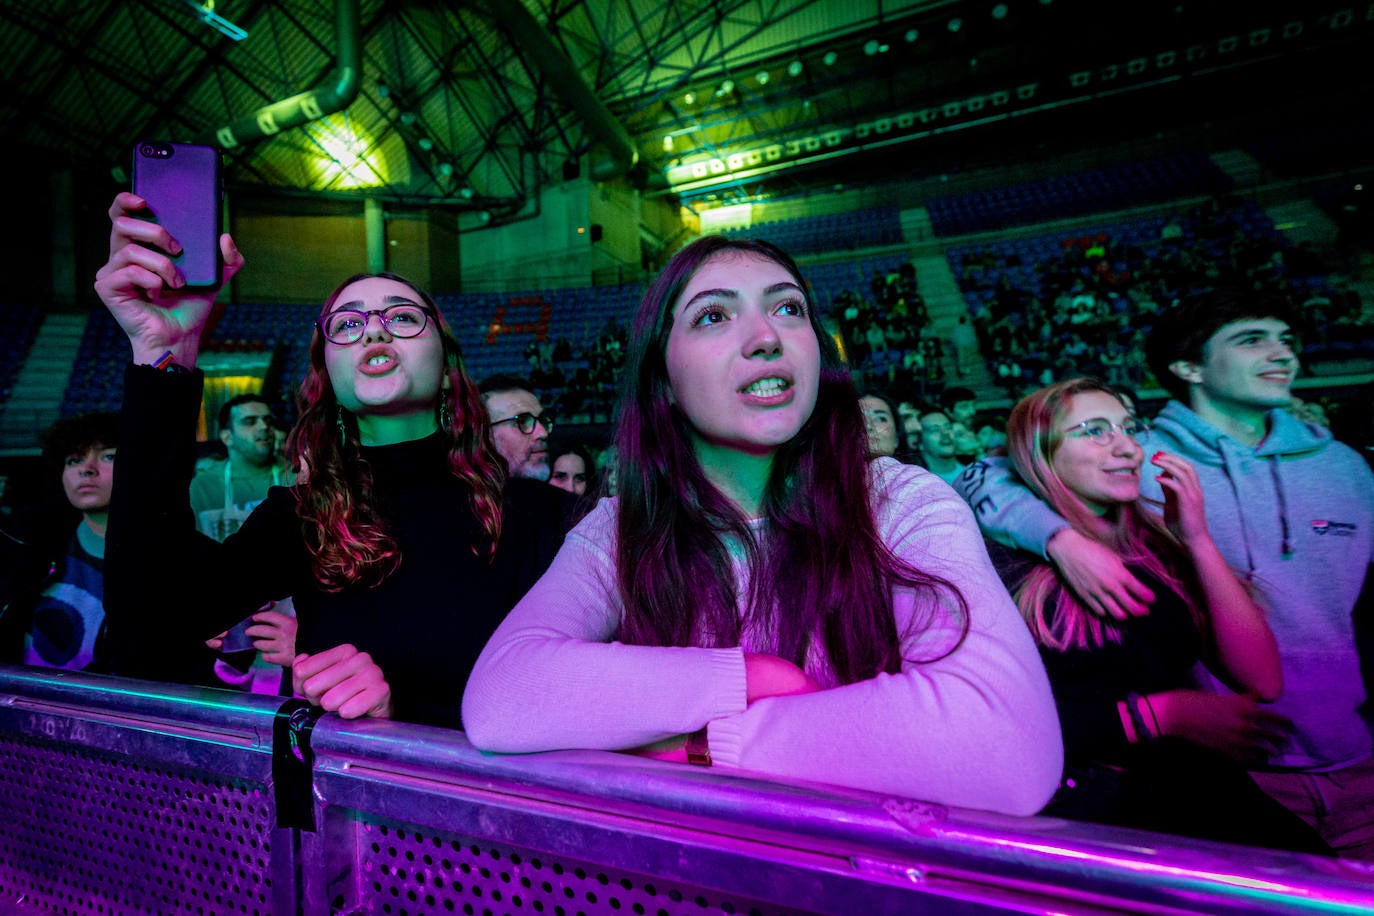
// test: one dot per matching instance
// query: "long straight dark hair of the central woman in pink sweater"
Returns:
(818, 568)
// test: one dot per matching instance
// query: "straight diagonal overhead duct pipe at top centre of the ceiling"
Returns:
(618, 154)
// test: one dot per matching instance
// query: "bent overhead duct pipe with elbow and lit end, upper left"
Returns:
(335, 94)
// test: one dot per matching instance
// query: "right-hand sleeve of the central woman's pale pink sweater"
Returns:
(975, 729)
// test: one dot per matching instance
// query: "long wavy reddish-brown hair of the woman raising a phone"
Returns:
(348, 542)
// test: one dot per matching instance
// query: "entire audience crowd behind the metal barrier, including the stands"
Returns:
(1167, 634)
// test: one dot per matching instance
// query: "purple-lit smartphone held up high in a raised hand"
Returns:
(182, 185)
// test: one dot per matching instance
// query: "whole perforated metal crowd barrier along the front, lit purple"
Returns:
(128, 797)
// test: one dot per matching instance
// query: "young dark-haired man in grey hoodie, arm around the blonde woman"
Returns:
(1291, 510)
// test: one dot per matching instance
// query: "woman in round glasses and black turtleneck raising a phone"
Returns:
(402, 543)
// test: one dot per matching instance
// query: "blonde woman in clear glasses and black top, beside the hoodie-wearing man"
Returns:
(1144, 746)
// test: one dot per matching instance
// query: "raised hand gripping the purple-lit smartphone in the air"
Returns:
(145, 292)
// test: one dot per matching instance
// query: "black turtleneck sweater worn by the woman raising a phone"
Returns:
(425, 626)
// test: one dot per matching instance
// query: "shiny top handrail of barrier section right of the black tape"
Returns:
(1044, 856)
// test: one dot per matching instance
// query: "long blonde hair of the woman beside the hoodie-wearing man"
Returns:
(1052, 610)
